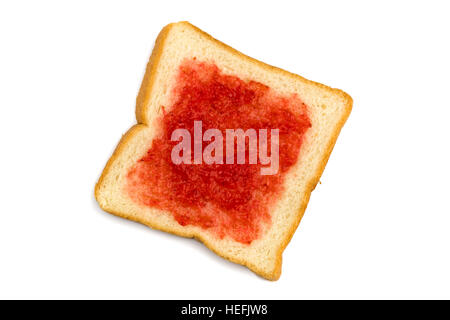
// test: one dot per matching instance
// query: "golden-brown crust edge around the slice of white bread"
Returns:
(141, 110)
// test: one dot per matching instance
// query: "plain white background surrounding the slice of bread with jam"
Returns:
(377, 227)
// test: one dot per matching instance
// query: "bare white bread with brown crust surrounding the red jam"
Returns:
(329, 109)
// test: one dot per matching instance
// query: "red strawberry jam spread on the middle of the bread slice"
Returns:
(228, 200)
